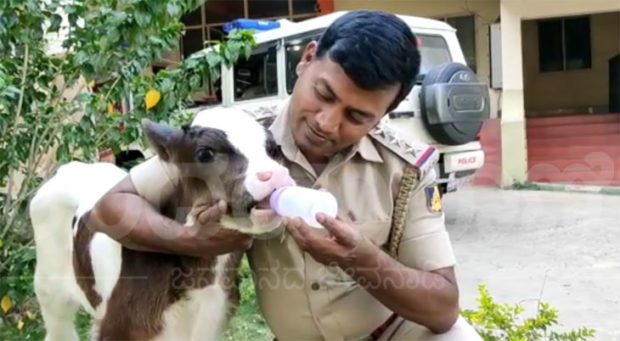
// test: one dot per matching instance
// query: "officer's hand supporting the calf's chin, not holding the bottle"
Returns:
(210, 239)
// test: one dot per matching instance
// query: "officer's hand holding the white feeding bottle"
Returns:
(344, 244)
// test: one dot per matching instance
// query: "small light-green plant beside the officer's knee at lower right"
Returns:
(503, 322)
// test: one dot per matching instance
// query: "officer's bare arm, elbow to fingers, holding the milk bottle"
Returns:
(429, 298)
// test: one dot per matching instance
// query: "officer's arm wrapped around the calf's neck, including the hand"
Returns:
(131, 220)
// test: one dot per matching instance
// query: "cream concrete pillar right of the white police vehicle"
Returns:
(514, 147)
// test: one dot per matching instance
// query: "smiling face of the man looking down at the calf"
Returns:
(329, 112)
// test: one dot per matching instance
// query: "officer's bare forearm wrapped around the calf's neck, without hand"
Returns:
(137, 225)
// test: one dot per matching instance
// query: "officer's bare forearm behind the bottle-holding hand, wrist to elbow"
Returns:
(423, 297)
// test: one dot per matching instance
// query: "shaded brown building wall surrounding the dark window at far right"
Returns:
(572, 90)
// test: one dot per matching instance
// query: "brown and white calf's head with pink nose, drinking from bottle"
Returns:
(224, 154)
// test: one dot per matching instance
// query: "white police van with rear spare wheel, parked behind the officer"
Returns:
(446, 107)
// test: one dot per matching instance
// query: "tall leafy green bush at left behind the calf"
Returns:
(51, 111)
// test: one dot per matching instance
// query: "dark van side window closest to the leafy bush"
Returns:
(258, 76)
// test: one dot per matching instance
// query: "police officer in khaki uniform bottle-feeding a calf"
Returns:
(341, 283)
